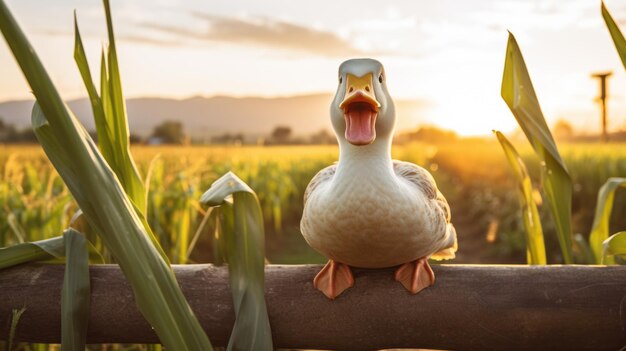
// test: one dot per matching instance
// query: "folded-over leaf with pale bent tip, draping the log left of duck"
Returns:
(243, 232)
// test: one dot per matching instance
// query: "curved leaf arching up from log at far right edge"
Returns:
(604, 206)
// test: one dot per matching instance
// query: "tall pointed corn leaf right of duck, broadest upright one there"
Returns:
(519, 95)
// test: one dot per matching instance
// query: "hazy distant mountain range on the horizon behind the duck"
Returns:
(205, 117)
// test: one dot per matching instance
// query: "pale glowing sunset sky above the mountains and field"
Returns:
(448, 55)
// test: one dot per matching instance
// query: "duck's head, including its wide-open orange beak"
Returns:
(362, 111)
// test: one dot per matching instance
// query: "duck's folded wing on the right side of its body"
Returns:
(425, 182)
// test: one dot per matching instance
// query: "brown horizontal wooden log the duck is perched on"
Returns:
(469, 308)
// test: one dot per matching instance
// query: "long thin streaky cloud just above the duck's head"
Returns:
(264, 32)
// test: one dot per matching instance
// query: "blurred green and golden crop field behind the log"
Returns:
(472, 173)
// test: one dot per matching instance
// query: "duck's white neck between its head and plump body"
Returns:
(364, 161)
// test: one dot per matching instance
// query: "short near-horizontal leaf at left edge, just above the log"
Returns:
(34, 251)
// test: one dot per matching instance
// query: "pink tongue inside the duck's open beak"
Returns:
(360, 121)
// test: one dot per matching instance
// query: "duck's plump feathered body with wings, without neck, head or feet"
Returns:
(376, 217)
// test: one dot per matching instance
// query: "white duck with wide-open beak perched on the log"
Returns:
(368, 210)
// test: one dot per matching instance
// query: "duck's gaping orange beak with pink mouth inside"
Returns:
(360, 109)
